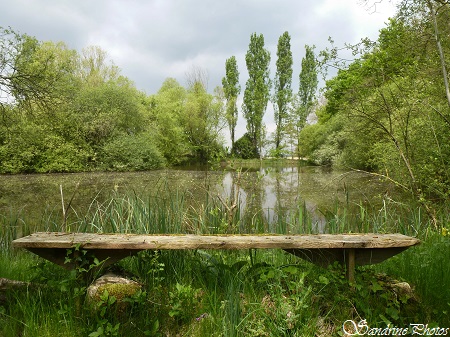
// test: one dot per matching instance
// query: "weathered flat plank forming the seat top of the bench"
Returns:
(156, 242)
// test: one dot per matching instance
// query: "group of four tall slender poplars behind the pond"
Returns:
(290, 109)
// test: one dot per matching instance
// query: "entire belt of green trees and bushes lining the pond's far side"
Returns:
(387, 112)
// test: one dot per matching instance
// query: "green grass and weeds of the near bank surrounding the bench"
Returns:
(244, 293)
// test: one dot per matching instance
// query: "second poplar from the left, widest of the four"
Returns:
(257, 89)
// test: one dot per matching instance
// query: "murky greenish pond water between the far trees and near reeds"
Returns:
(268, 191)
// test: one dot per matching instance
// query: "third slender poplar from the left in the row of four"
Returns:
(283, 92)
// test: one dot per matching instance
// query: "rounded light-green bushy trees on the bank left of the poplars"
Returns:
(61, 111)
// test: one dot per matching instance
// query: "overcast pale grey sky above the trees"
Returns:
(151, 40)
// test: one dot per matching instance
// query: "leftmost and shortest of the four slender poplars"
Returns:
(231, 90)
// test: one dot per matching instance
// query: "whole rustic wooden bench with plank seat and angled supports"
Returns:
(321, 249)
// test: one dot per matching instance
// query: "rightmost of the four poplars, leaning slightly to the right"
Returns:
(304, 101)
